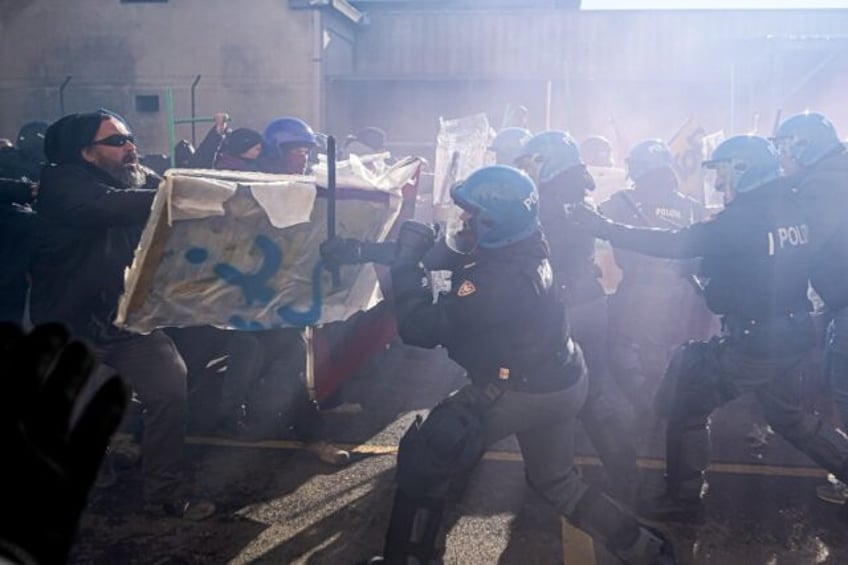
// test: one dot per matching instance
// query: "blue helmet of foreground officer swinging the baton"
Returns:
(503, 205)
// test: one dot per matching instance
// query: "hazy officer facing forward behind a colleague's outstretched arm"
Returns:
(655, 305)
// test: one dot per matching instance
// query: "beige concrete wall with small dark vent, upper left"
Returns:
(258, 60)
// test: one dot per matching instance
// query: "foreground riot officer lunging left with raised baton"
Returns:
(504, 323)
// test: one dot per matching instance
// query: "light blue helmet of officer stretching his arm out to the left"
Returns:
(744, 163)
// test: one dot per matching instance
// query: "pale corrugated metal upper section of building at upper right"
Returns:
(540, 44)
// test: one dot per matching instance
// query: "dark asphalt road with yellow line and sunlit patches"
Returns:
(280, 504)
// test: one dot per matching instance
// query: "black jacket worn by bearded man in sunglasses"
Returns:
(87, 230)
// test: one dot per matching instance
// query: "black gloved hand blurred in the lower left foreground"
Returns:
(49, 466)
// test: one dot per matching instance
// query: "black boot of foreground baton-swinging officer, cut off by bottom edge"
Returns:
(413, 527)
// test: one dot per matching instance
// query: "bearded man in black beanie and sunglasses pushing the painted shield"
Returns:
(94, 200)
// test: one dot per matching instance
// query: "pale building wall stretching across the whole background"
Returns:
(627, 75)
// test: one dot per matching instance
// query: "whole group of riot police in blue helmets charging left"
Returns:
(547, 349)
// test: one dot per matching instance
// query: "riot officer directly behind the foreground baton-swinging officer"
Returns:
(555, 161)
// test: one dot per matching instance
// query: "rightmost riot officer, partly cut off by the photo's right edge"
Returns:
(816, 163)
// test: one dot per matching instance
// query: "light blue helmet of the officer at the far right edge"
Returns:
(806, 138)
